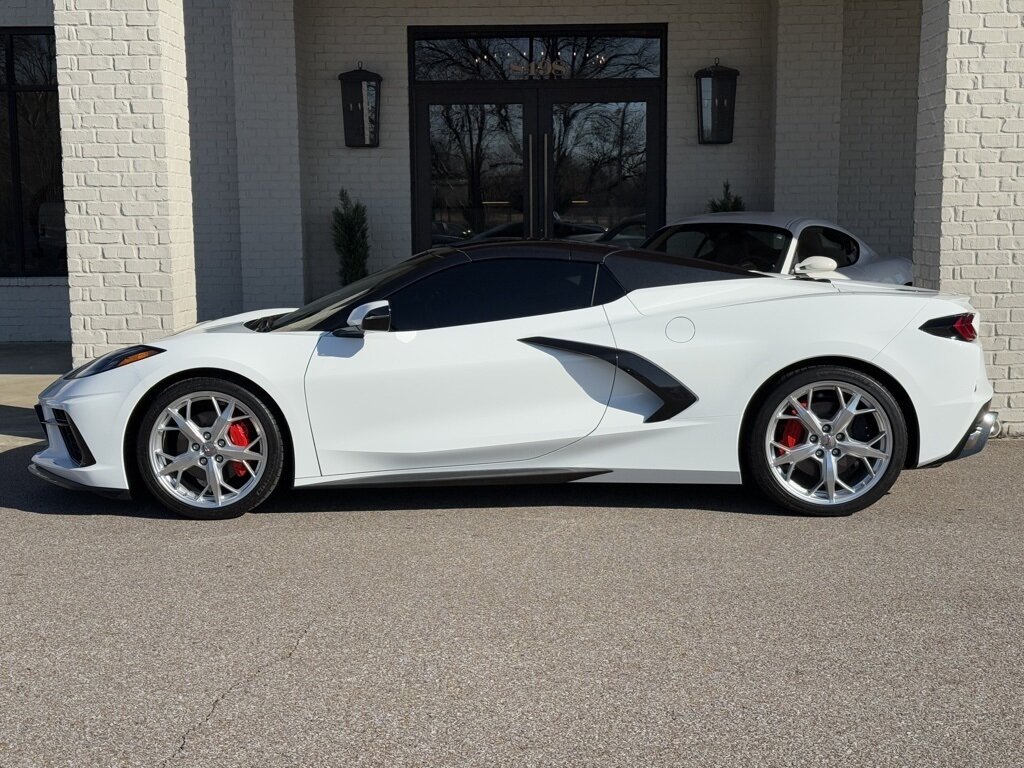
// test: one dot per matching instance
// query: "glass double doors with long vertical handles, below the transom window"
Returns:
(537, 160)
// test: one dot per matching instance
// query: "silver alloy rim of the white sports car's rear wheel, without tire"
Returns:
(829, 443)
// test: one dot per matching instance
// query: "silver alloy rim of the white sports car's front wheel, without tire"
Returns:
(208, 450)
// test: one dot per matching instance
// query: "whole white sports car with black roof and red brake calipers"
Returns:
(536, 362)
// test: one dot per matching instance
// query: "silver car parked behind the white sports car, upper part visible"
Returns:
(780, 243)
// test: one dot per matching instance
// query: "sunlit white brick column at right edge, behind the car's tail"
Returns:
(969, 212)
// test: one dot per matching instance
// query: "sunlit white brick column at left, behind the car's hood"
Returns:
(124, 131)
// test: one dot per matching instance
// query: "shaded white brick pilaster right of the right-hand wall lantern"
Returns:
(808, 96)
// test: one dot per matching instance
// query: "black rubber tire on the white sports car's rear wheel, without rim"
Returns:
(754, 450)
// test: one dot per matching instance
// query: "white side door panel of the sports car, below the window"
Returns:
(470, 395)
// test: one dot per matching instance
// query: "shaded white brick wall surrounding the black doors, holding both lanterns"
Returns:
(333, 36)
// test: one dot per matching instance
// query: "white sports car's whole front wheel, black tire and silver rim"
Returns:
(209, 449)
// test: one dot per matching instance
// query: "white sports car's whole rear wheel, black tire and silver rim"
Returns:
(827, 441)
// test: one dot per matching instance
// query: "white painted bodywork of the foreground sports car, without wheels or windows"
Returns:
(477, 402)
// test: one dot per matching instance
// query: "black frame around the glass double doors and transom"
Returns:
(537, 98)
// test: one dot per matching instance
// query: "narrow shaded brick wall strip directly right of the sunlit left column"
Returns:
(215, 158)
